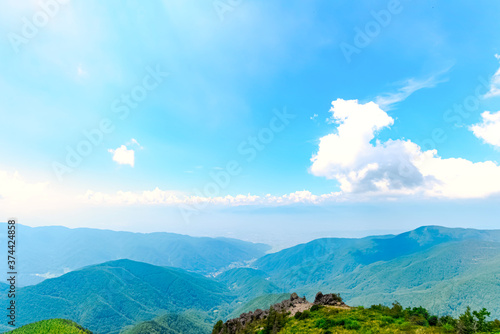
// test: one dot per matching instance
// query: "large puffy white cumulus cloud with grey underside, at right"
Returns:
(396, 166)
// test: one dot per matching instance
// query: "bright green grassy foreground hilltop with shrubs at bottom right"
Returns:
(381, 319)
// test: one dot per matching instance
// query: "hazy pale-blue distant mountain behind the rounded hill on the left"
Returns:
(53, 250)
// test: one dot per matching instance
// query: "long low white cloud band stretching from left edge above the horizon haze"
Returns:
(19, 196)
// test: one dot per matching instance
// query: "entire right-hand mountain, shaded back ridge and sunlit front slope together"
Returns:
(447, 269)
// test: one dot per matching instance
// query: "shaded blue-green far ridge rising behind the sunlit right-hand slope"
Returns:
(312, 262)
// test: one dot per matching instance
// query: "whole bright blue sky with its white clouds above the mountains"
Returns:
(224, 70)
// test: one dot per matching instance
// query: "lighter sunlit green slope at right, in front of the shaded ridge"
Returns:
(446, 280)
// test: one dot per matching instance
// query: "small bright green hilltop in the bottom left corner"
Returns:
(51, 326)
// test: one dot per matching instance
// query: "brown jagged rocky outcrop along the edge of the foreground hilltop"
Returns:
(288, 306)
